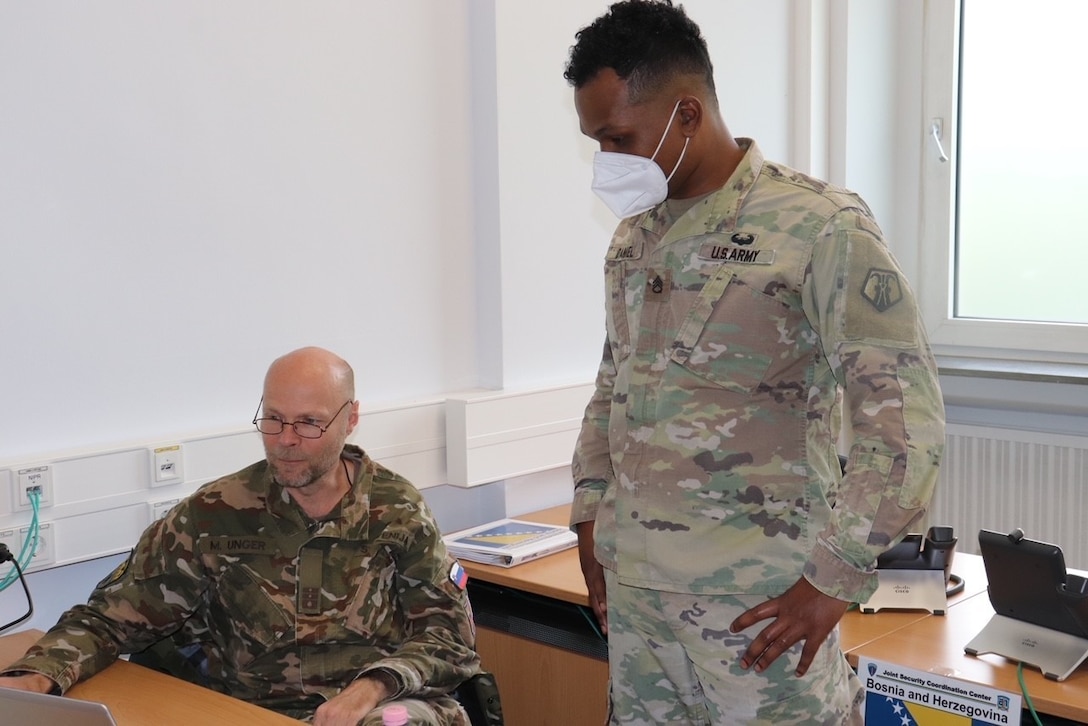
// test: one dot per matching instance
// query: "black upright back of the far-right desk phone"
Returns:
(1024, 577)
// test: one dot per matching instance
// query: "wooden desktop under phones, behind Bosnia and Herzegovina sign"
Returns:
(935, 645)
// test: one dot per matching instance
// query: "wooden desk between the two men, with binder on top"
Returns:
(540, 684)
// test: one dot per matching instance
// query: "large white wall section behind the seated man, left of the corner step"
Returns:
(190, 190)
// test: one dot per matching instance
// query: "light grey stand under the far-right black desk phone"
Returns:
(1056, 654)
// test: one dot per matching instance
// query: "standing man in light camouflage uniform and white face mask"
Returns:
(751, 312)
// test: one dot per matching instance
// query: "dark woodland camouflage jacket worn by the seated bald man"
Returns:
(288, 611)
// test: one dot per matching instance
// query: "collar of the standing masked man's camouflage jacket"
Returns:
(725, 204)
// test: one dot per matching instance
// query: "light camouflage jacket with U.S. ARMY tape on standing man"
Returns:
(739, 336)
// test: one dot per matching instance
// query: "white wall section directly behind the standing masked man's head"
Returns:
(553, 230)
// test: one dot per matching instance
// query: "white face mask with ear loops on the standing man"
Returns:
(630, 184)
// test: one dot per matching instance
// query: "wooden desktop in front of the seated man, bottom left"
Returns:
(138, 696)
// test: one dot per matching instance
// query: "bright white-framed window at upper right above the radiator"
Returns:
(1005, 217)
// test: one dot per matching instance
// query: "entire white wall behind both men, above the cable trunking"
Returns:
(192, 190)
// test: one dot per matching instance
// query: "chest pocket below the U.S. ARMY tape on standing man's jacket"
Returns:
(728, 334)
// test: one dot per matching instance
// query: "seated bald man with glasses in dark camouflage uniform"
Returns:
(315, 583)
